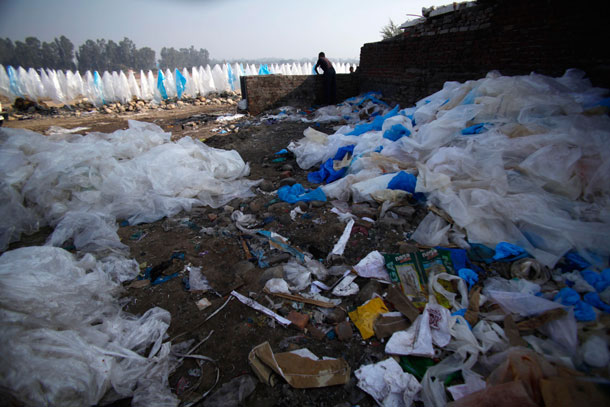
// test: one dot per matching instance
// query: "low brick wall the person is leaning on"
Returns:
(269, 91)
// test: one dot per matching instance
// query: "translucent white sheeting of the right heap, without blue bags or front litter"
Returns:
(536, 176)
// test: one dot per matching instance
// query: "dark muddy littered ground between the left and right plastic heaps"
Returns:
(207, 238)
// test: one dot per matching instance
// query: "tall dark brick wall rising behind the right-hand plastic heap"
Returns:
(515, 37)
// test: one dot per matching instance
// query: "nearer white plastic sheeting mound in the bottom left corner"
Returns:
(65, 339)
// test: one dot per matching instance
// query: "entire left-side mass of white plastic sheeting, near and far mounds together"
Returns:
(66, 339)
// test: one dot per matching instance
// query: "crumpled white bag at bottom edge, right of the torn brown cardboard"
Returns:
(388, 384)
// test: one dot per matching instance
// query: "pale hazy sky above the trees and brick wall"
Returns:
(228, 29)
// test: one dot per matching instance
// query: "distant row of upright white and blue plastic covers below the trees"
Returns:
(66, 86)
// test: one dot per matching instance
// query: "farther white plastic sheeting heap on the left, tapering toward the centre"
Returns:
(70, 181)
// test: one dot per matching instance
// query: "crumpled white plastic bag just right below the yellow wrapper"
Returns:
(431, 327)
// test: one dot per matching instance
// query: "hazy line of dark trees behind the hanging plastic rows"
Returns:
(99, 55)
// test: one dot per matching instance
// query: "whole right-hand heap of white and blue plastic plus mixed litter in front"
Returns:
(515, 172)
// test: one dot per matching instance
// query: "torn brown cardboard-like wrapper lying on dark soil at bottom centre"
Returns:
(301, 372)
